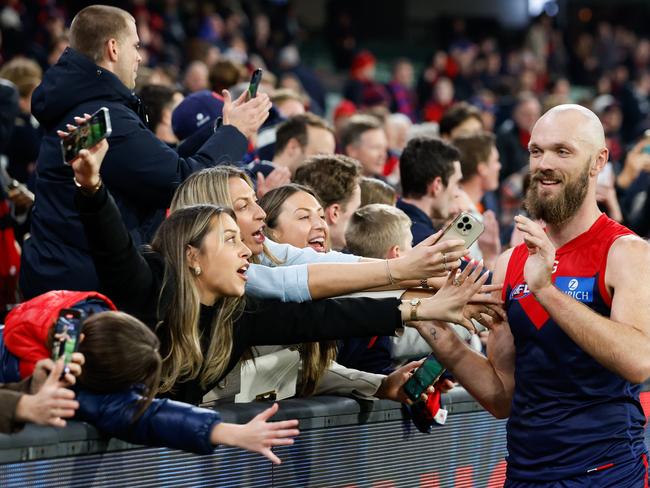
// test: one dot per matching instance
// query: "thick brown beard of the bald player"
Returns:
(556, 209)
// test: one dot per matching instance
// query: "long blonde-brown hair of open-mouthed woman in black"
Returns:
(178, 329)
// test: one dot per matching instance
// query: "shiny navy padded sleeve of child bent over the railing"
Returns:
(165, 423)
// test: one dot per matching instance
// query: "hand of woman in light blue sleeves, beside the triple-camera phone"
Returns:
(429, 259)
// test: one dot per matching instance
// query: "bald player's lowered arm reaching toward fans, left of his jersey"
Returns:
(489, 380)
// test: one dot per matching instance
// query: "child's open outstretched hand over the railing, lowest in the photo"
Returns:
(258, 435)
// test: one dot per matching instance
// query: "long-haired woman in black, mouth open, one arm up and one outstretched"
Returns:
(189, 287)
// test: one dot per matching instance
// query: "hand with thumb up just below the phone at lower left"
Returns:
(51, 405)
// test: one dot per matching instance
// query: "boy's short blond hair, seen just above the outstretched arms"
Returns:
(375, 228)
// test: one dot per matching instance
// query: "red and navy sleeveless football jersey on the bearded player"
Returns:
(569, 414)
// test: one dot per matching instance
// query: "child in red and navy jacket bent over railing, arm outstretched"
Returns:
(116, 387)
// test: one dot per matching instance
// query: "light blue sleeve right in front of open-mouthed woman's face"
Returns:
(284, 283)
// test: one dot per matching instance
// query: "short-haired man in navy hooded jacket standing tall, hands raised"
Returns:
(99, 70)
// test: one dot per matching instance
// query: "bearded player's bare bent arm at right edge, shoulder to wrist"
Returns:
(620, 343)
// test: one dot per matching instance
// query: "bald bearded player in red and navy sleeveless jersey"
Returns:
(567, 366)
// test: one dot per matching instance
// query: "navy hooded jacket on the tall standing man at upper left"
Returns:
(141, 172)
